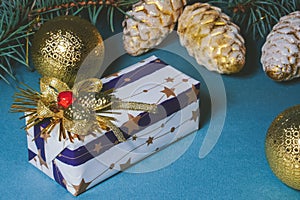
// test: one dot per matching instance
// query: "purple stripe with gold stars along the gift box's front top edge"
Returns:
(82, 154)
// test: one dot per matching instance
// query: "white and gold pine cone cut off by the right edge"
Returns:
(281, 52)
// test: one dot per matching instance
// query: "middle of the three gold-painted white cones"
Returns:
(210, 37)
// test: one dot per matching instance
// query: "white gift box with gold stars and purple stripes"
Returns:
(80, 164)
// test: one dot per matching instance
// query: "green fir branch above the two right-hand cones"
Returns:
(256, 17)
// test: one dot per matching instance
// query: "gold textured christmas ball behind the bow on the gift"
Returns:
(67, 48)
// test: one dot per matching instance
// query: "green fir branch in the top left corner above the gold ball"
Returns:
(21, 18)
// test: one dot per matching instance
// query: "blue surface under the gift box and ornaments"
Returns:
(235, 169)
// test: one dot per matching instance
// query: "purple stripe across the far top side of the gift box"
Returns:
(134, 75)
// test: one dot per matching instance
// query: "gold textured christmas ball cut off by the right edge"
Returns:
(283, 147)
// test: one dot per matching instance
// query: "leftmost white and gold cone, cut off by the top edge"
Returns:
(150, 23)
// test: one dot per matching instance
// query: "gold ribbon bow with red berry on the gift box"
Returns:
(79, 111)
